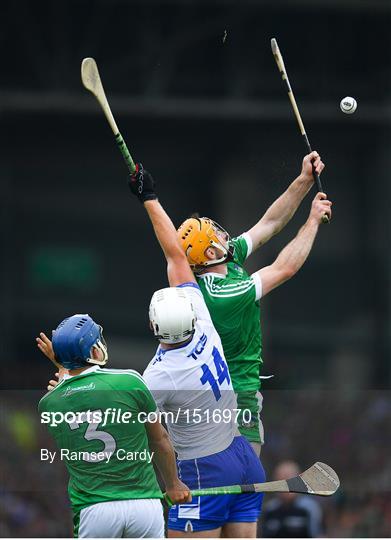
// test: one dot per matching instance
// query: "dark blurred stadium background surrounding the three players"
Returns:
(210, 119)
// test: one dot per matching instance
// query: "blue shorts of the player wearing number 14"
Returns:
(238, 464)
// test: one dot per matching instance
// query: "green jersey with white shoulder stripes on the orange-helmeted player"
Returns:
(233, 303)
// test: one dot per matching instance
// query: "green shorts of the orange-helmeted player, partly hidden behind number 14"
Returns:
(249, 421)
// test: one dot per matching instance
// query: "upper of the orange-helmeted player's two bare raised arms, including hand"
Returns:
(283, 208)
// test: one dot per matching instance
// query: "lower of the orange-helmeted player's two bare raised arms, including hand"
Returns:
(293, 256)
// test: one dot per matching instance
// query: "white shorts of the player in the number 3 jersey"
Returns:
(132, 518)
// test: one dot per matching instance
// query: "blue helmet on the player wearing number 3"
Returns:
(73, 340)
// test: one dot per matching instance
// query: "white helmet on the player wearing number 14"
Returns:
(172, 315)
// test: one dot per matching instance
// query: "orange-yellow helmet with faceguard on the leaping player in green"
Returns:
(196, 235)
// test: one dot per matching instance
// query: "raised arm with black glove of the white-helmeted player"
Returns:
(178, 270)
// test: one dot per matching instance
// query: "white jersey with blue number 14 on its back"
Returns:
(192, 386)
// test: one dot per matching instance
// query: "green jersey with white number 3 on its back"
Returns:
(97, 419)
